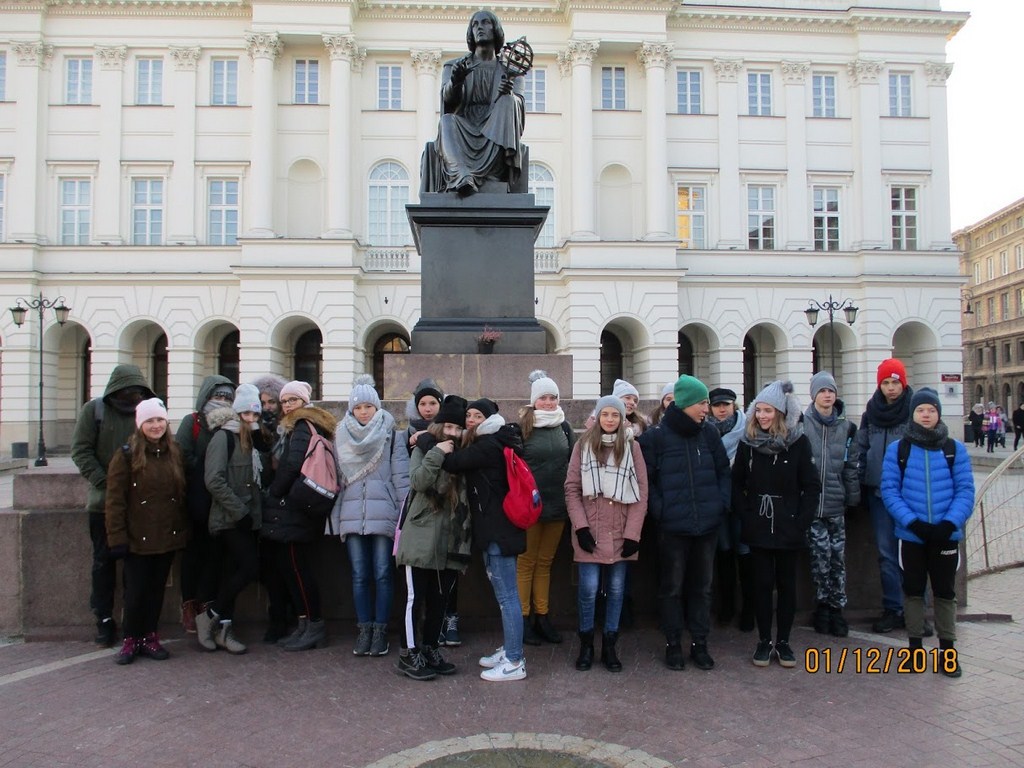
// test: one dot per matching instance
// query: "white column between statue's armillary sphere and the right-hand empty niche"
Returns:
(579, 59)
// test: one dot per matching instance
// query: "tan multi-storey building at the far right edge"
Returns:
(993, 259)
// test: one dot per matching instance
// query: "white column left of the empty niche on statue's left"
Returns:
(264, 49)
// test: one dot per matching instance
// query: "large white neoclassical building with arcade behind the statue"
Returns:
(220, 186)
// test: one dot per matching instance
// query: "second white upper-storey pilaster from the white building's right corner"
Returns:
(869, 190)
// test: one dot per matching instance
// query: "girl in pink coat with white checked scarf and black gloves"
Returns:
(607, 496)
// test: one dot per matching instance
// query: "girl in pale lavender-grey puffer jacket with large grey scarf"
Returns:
(374, 468)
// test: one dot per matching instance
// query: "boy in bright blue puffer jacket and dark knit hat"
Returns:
(930, 502)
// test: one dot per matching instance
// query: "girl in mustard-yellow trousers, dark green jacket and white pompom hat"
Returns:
(548, 441)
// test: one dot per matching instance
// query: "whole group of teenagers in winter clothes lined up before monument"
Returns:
(730, 494)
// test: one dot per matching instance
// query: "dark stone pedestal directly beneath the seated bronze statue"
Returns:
(478, 270)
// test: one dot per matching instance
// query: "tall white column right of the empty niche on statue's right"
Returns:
(655, 58)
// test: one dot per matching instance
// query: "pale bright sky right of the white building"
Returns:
(987, 110)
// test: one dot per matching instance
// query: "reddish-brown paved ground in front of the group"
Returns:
(66, 704)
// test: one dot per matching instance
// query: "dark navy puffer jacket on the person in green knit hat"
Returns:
(688, 475)
